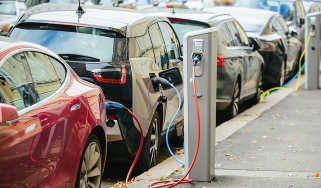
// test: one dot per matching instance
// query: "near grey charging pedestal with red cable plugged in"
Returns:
(203, 42)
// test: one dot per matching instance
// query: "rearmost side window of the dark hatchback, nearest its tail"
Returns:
(141, 47)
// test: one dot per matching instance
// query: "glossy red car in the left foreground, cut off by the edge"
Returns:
(52, 123)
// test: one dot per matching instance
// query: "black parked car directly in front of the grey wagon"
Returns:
(280, 49)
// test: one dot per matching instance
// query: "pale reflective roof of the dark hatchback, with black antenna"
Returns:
(119, 19)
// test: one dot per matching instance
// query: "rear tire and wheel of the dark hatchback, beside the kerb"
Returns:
(152, 142)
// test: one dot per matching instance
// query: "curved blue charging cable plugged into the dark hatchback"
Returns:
(163, 81)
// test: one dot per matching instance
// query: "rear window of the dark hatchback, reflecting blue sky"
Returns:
(76, 42)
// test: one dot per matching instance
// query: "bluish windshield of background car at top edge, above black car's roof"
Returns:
(271, 5)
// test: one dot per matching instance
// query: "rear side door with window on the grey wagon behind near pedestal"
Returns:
(241, 57)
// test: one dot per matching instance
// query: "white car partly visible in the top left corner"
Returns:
(9, 12)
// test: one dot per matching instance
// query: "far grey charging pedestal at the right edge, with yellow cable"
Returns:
(313, 52)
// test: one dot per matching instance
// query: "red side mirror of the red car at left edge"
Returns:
(8, 114)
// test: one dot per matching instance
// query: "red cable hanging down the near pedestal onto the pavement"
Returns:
(173, 183)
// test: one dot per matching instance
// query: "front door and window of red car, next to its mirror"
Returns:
(20, 166)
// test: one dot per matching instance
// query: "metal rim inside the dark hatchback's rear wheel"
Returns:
(154, 143)
